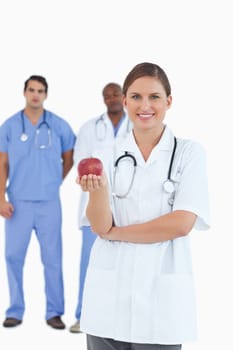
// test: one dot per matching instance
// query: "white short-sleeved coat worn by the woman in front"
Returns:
(144, 293)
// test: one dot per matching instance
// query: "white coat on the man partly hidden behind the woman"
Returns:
(93, 136)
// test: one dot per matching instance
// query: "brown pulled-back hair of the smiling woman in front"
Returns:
(149, 70)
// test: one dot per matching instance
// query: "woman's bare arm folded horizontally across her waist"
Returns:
(166, 227)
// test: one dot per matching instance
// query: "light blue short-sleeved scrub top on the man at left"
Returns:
(35, 173)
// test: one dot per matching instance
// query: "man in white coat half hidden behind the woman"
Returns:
(97, 133)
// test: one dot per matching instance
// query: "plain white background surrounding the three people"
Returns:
(79, 46)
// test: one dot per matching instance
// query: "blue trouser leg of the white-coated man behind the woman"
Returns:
(88, 238)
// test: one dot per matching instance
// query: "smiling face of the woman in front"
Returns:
(146, 102)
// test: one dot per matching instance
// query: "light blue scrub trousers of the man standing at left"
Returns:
(44, 217)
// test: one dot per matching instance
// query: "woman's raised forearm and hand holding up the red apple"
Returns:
(98, 209)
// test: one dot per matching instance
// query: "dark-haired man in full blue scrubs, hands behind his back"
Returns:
(36, 153)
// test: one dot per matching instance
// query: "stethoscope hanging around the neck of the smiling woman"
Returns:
(168, 185)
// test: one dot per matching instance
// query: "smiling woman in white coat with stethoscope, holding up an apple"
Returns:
(143, 207)
